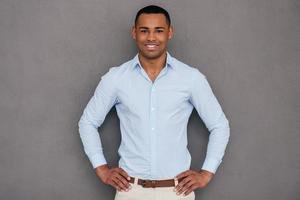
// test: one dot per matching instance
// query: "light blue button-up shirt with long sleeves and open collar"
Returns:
(153, 119)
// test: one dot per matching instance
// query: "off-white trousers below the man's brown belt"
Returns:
(137, 192)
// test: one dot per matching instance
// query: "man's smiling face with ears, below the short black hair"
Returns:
(152, 34)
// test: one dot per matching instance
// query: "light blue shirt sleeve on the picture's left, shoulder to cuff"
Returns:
(99, 105)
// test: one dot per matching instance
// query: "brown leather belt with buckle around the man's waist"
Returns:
(154, 183)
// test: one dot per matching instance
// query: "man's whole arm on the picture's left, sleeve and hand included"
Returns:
(104, 98)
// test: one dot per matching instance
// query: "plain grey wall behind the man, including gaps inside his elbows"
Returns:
(53, 53)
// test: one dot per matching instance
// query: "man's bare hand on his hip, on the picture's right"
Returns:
(192, 180)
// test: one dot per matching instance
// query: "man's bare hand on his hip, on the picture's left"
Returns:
(115, 177)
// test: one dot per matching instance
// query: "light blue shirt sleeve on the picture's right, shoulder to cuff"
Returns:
(211, 113)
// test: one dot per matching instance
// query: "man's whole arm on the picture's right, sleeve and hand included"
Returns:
(211, 113)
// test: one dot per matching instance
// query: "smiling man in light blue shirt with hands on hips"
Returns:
(154, 95)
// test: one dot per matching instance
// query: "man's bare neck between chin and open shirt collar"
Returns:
(153, 65)
